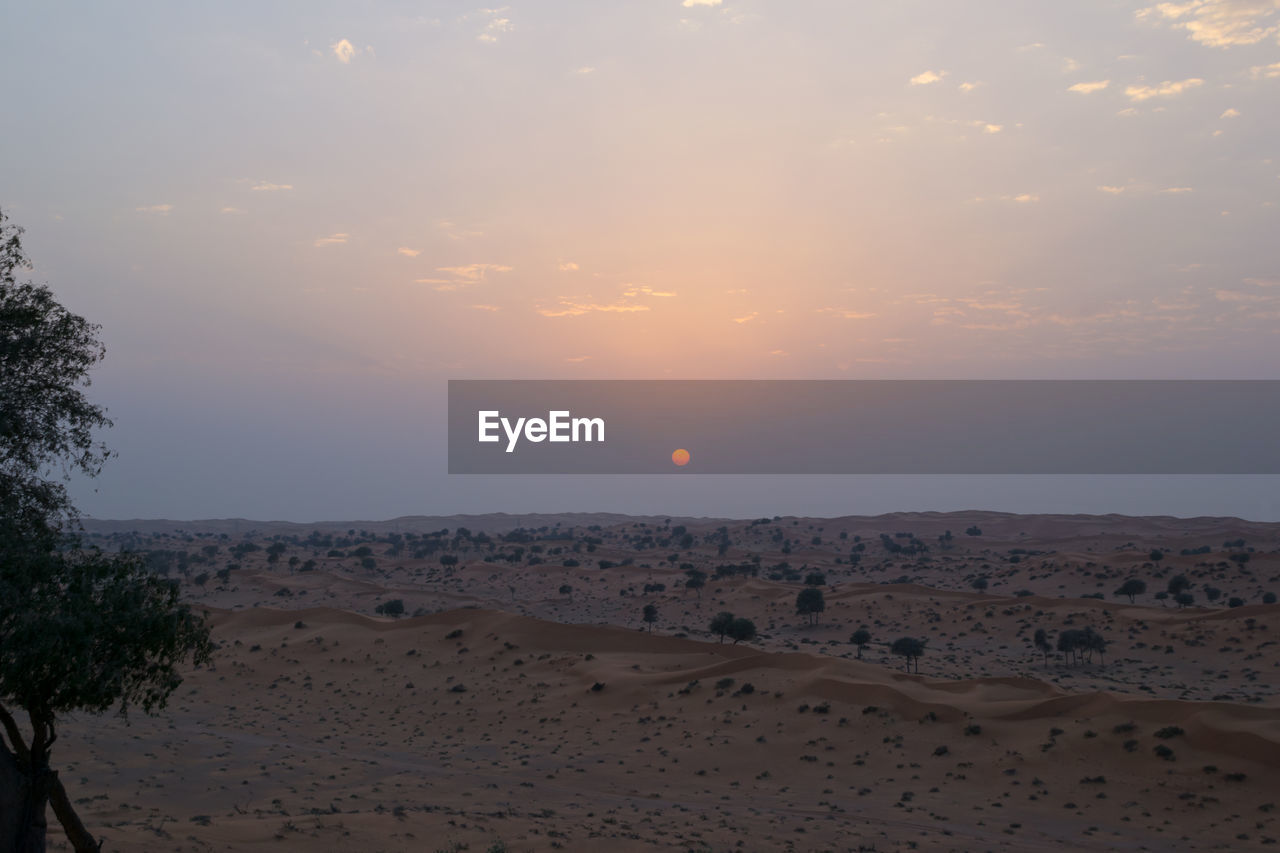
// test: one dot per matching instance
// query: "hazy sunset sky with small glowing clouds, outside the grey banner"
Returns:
(295, 222)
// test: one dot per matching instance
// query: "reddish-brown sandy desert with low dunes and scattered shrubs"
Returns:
(491, 685)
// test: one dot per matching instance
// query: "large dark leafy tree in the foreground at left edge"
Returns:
(80, 631)
